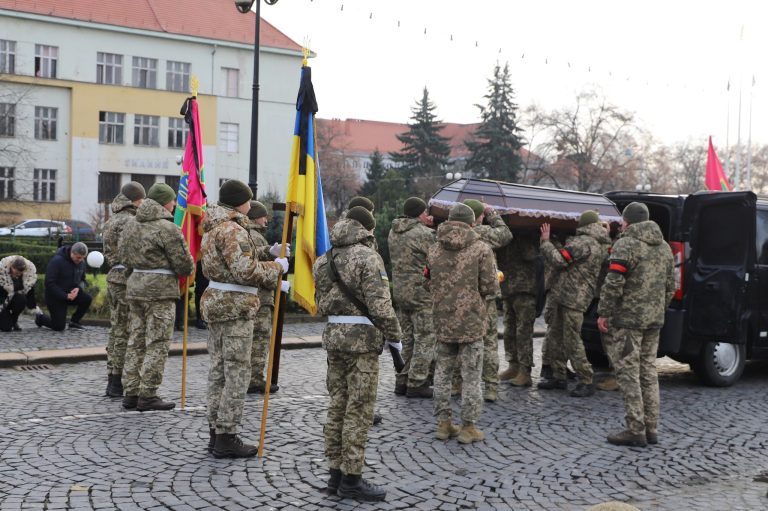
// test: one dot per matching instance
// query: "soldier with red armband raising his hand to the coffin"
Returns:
(573, 289)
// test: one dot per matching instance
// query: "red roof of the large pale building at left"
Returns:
(211, 19)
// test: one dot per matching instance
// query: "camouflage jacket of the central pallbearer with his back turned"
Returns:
(462, 274)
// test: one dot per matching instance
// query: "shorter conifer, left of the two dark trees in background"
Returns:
(425, 152)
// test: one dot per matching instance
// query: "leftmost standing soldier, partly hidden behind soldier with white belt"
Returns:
(123, 209)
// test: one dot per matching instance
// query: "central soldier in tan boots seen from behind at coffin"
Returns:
(461, 272)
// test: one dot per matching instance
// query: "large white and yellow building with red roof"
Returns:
(90, 94)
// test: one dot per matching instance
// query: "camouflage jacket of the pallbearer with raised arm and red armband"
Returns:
(577, 266)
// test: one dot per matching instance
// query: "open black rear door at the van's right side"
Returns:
(721, 234)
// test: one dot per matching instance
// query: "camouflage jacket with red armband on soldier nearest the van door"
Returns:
(640, 281)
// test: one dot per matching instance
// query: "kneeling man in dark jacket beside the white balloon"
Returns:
(65, 287)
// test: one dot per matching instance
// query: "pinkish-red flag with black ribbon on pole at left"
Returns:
(190, 201)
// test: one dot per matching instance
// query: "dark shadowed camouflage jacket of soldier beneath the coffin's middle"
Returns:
(517, 261)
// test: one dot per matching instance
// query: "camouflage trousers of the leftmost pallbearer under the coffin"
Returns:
(418, 346)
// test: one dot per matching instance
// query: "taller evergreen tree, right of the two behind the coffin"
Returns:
(495, 147)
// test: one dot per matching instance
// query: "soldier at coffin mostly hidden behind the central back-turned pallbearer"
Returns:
(495, 235)
